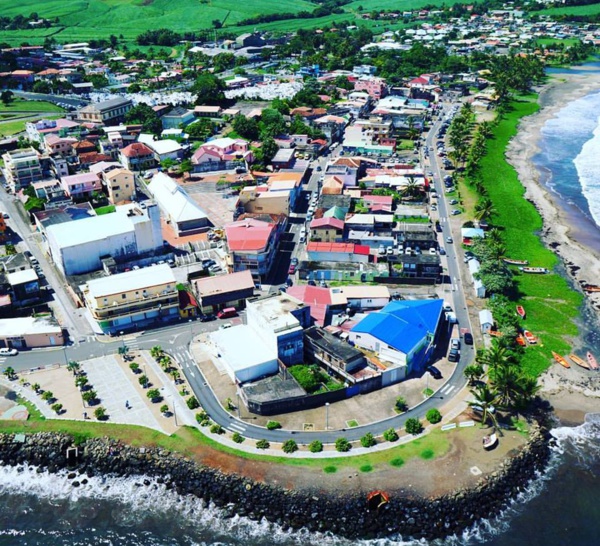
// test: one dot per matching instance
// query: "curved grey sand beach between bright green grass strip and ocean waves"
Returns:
(561, 226)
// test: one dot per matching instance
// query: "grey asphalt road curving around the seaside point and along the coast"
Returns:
(172, 338)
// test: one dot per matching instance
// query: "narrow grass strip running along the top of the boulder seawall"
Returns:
(187, 439)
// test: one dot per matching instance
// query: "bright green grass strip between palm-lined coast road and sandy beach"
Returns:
(550, 303)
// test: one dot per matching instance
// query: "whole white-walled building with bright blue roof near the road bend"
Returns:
(401, 335)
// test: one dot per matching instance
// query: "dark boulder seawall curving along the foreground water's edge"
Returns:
(346, 515)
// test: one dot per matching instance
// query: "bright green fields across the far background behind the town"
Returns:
(82, 20)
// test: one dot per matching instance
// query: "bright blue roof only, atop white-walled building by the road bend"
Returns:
(402, 324)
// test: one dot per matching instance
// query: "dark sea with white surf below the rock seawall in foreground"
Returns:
(560, 507)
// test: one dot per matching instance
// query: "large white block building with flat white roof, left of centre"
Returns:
(78, 247)
